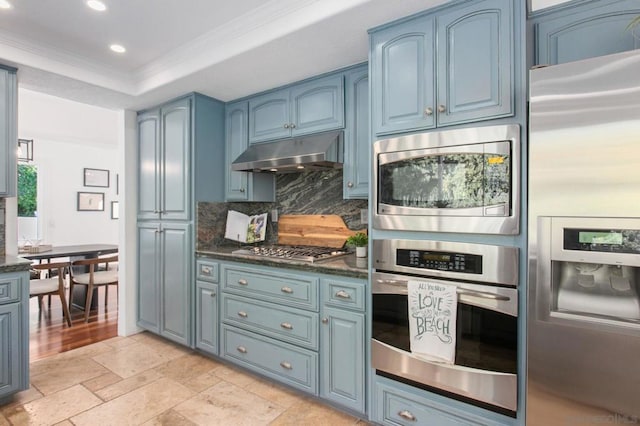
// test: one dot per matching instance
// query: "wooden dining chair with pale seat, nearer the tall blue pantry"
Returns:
(90, 273)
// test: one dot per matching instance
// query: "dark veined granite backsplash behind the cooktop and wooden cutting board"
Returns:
(296, 193)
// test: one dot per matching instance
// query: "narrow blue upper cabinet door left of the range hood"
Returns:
(237, 122)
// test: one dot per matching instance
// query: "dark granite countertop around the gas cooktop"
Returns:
(347, 266)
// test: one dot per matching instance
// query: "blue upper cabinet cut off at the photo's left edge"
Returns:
(8, 138)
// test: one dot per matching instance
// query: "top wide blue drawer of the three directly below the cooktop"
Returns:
(273, 286)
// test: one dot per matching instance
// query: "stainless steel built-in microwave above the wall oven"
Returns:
(463, 180)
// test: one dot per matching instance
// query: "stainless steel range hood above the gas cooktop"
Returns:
(320, 151)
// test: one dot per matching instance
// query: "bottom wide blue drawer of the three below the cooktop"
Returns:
(283, 362)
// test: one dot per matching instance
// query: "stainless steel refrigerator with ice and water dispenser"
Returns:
(583, 317)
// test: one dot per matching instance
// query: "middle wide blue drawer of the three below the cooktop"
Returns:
(290, 324)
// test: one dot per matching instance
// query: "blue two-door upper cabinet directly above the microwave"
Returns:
(466, 76)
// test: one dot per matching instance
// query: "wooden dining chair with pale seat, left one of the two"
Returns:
(50, 286)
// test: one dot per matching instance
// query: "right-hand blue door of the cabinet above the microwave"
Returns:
(475, 56)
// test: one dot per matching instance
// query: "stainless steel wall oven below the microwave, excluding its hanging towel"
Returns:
(486, 354)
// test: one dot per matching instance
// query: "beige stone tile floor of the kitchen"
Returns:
(145, 380)
